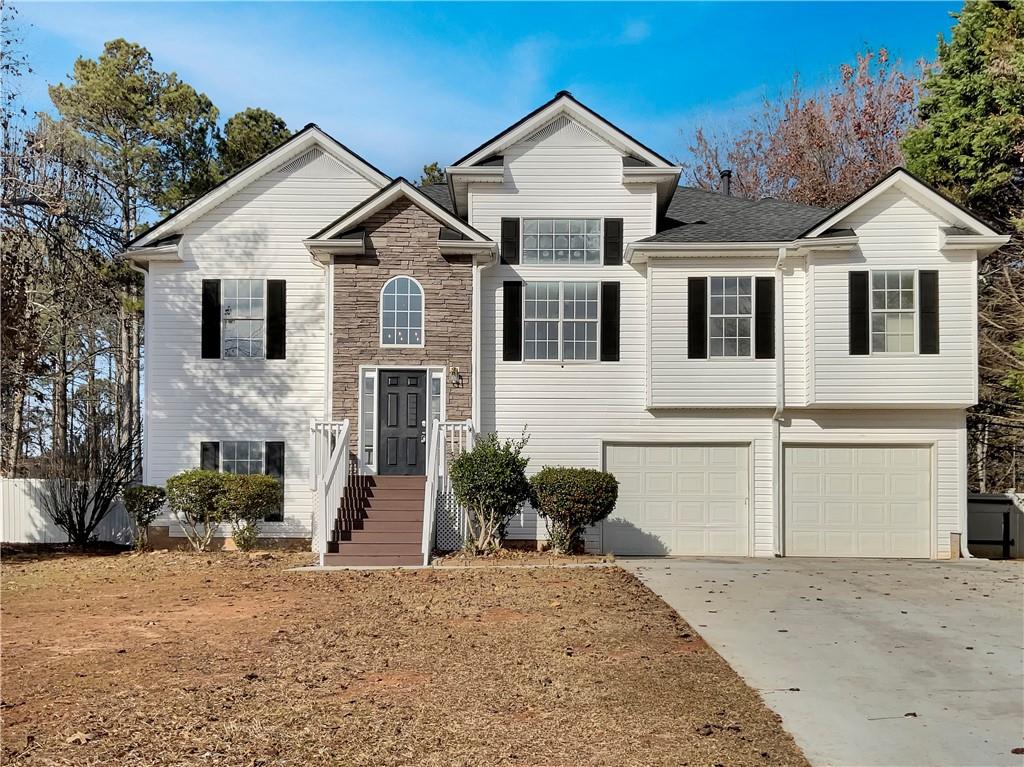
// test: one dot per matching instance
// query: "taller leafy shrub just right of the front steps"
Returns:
(491, 482)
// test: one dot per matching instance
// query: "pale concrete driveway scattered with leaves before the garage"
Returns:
(869, 662)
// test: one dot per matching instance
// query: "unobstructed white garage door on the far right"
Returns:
(859, 501)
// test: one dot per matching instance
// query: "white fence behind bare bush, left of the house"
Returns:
(24, 519)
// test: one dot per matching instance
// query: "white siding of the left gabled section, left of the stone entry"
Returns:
(257, 234)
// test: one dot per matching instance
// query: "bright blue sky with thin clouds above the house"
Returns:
(406, 84)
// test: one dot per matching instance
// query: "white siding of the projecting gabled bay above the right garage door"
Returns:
(897, 234)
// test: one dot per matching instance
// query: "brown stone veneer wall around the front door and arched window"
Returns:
(402, 240)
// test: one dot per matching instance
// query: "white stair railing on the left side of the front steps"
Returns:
(328, 476)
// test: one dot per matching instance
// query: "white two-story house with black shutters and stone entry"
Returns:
(763, 378)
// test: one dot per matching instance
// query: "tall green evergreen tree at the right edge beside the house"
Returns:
(970, 145)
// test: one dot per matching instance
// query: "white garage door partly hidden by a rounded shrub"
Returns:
(679, 499)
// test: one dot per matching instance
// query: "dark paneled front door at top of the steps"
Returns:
(403, 422)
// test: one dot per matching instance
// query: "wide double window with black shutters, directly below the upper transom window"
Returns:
(561, 321)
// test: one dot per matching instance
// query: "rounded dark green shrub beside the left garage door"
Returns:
(571, 500)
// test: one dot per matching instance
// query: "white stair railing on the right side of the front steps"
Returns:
(447, 441)
